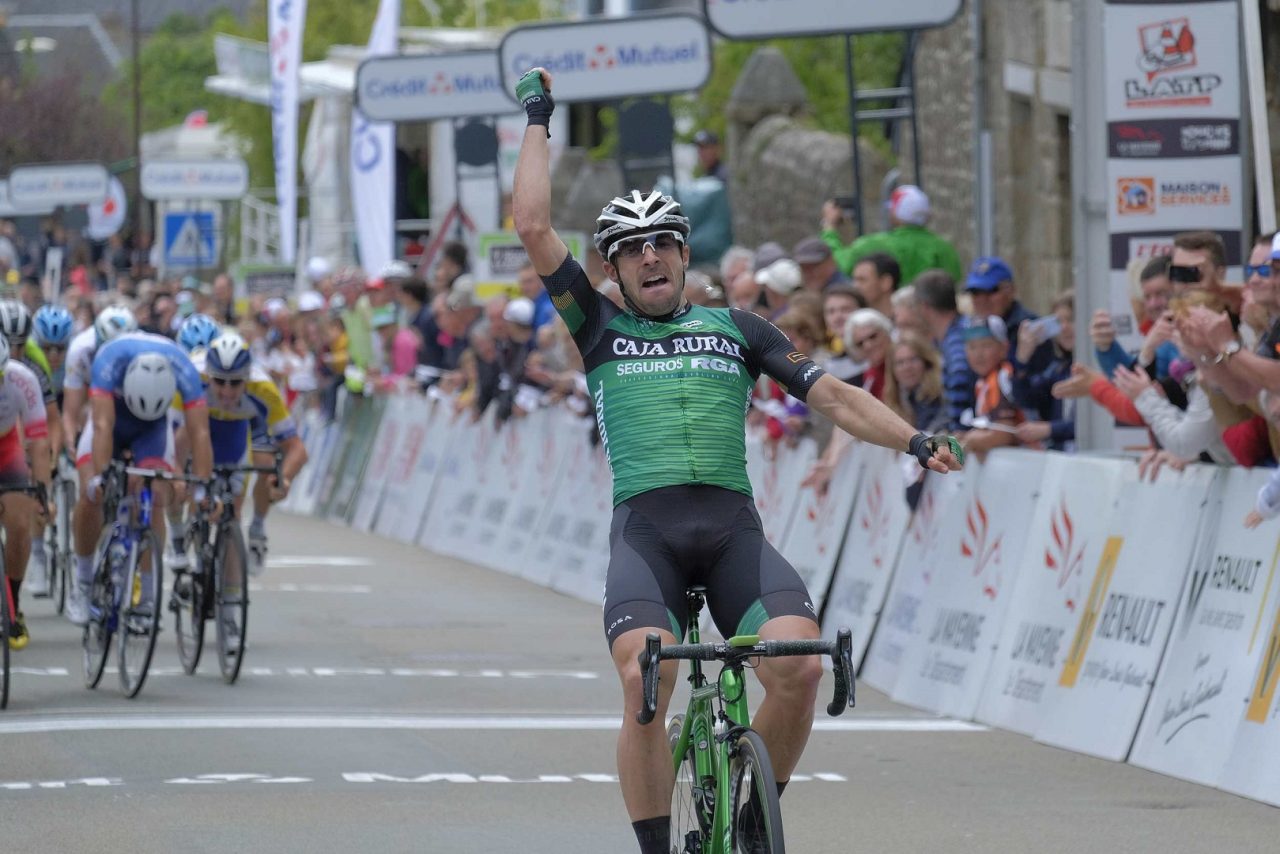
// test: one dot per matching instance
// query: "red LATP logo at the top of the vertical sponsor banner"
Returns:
(1167, 58)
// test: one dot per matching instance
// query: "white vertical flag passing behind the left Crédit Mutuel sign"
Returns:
(373, 159)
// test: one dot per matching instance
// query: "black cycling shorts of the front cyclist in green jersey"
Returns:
(665, 541)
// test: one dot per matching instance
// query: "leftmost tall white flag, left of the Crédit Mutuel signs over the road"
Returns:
(286, 21)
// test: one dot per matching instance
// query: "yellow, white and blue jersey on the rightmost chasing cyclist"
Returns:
(260, 421)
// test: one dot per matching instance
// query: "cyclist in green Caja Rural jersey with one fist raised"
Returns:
(671, 385)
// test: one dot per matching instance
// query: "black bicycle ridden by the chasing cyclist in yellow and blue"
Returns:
(218, 586)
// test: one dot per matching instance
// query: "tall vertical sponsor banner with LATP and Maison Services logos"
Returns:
(1174, 165)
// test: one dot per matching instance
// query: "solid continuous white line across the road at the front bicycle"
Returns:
(460, 723)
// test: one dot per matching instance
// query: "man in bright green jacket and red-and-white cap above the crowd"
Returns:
(915, 246)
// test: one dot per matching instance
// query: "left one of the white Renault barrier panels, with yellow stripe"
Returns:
(1116, 649)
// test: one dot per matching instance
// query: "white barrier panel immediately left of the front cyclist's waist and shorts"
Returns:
(578, 528)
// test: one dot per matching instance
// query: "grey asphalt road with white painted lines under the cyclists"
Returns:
(395, 701)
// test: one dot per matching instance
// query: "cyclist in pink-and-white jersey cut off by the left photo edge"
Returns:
(22, 417)
